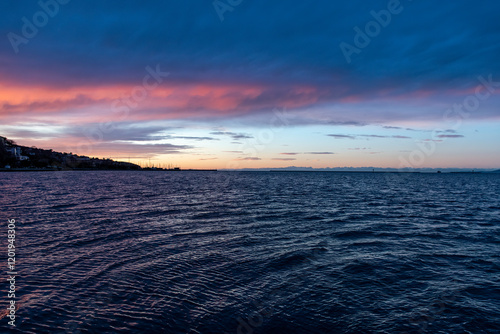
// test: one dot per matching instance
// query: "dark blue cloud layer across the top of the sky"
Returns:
(427, 44)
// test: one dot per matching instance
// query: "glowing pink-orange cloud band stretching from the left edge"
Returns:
(166, 101)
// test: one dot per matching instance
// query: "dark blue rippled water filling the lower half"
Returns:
(221, 252)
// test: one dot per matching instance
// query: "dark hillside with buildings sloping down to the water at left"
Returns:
(17, 156)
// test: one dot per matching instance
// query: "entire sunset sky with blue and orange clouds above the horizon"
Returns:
(233, 84)
